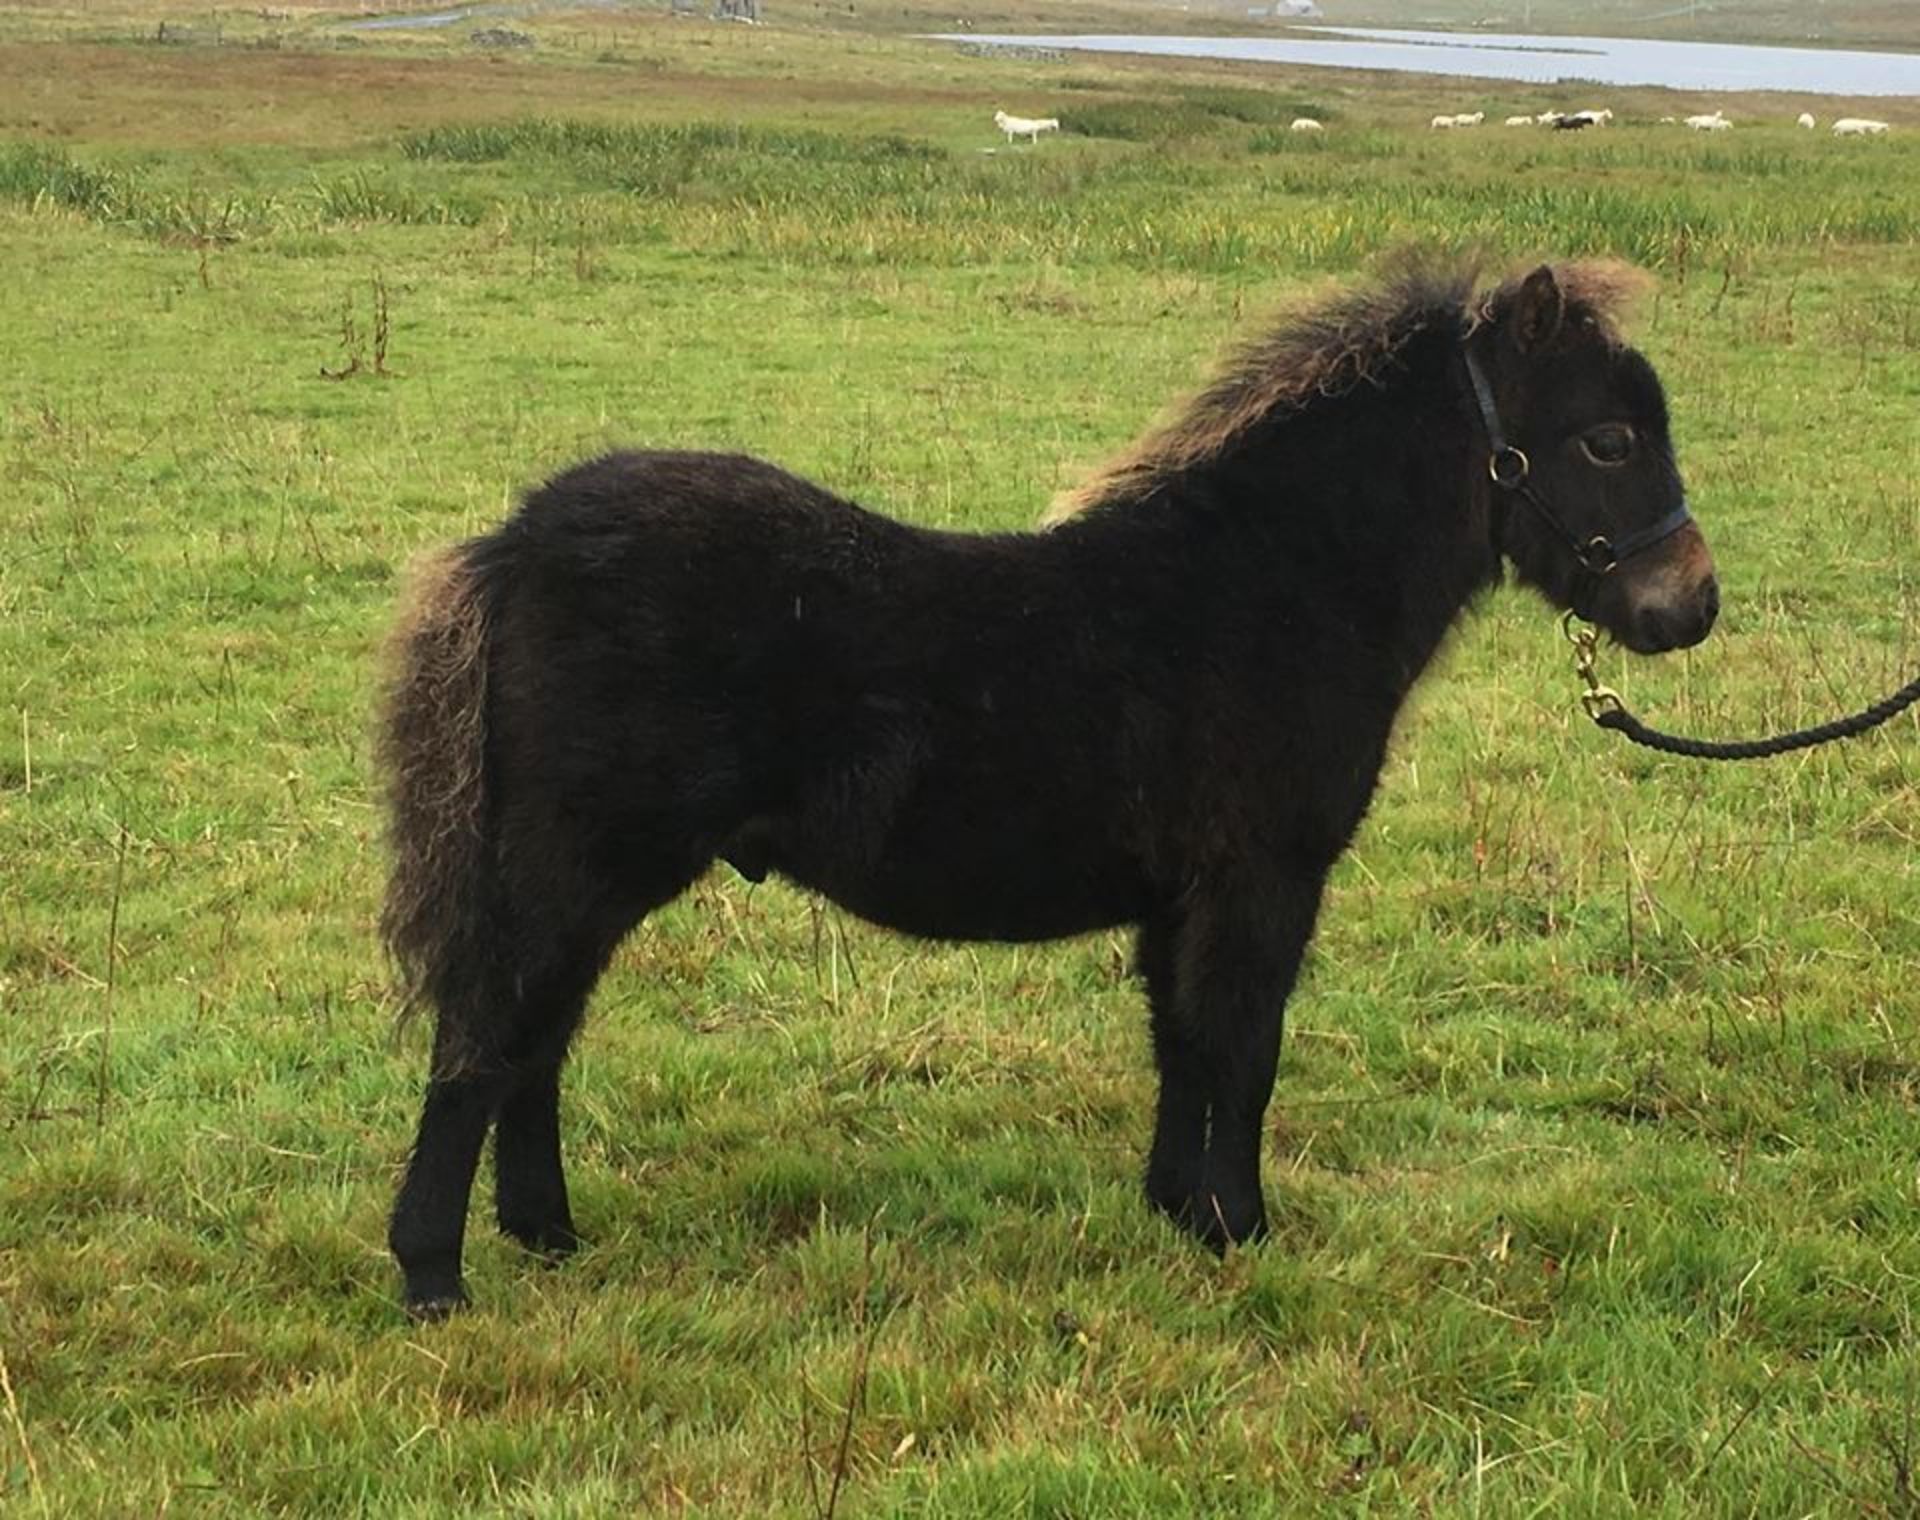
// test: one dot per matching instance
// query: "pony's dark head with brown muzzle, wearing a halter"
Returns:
(1587, 498)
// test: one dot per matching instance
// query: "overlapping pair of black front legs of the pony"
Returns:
(1218, 987)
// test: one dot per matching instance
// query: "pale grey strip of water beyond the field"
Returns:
(1533, 60)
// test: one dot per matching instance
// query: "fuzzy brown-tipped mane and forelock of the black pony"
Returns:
(1330, 350)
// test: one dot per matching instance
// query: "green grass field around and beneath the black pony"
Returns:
(1593, 1166)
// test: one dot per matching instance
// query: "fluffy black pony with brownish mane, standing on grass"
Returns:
(1166, 711)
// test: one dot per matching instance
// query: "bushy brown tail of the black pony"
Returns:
(433, 755)
